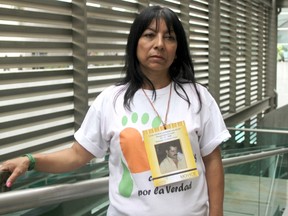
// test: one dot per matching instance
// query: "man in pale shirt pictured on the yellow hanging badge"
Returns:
(174, 159)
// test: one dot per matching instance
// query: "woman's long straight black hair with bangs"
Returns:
(181, 70)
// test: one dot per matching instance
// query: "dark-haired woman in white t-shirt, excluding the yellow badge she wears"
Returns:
(159, 89)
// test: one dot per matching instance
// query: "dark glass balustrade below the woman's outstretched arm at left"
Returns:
(94, 205)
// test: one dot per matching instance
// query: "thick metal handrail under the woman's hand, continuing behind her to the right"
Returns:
(30, 198)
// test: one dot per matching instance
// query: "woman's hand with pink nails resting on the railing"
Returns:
(17, 167)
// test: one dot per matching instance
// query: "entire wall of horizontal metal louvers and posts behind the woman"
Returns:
(57, 56)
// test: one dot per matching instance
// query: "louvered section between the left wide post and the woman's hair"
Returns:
(108, 29)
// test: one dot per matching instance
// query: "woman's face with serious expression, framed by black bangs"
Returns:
(156, 49)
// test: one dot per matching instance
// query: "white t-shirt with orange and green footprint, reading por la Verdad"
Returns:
(108, 125)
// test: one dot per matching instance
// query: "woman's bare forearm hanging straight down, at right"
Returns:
(215, 182)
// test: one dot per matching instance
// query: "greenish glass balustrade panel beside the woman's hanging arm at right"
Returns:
(258, 187)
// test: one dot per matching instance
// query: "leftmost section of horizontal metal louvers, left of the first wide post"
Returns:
(36, 86)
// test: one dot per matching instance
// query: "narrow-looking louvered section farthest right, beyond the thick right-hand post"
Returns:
(243, 39)
